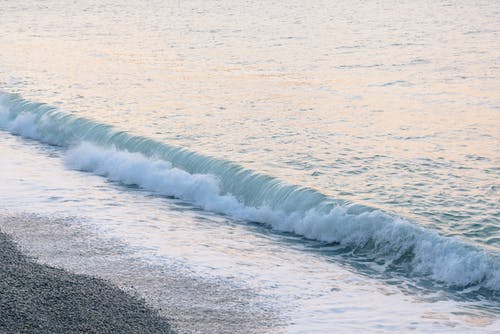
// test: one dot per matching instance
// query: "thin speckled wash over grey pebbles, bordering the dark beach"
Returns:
(188, 302)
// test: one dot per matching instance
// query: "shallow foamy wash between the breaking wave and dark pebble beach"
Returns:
(149, 244)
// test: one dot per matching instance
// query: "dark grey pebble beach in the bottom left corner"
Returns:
(37, 298)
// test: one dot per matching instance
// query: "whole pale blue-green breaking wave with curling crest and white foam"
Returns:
(227, 188)
